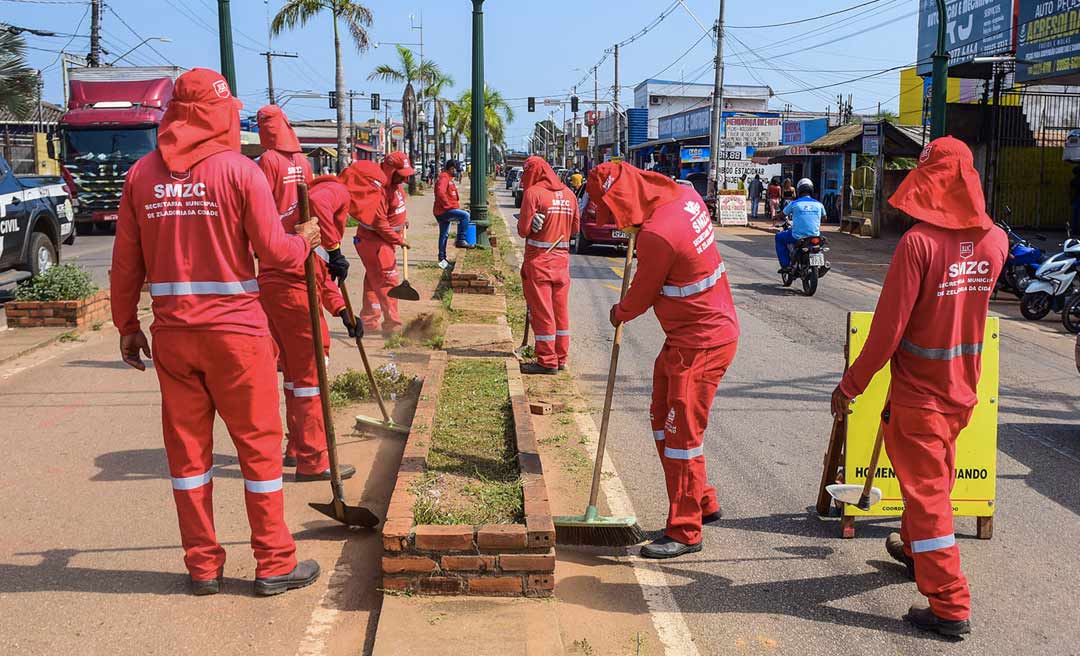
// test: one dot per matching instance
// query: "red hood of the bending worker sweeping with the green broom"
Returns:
(628, 196)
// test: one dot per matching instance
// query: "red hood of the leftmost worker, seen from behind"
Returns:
(202, 119)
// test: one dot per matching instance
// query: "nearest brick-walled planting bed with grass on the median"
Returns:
(470, 512)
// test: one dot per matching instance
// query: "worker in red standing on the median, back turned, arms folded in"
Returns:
(549, 218)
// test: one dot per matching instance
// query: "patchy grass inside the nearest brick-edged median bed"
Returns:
(472, 474)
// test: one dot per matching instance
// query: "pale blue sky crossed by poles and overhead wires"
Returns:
(534, 48)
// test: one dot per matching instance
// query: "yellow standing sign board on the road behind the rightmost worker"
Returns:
(977, 448)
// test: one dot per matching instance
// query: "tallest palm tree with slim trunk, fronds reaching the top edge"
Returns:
(358, 19)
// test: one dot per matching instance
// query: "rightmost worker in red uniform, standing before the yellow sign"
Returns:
(929, 324)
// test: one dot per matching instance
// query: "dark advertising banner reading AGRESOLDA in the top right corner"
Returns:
(1048, 41)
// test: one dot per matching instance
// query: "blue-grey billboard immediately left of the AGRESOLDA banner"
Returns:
(973, 28)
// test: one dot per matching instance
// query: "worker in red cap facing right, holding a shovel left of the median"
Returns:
(377, 244)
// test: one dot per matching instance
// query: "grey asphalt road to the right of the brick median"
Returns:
(774, 577)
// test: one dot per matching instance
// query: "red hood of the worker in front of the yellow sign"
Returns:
(944, 190)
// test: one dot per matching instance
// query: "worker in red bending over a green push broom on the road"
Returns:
(682, 277)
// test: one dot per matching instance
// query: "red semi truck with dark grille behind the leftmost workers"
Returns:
(112, 122)
